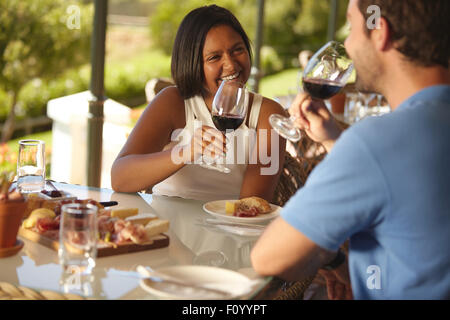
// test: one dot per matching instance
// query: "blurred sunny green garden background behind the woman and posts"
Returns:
(45, 52)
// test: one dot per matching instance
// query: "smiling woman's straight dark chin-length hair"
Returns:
(187, 54)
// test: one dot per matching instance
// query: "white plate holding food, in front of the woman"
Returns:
(217, 209)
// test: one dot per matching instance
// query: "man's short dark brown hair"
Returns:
(418, 27)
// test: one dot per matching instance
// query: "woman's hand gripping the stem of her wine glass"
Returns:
(206, 141)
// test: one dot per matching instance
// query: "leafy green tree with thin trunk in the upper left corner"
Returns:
(39, 39)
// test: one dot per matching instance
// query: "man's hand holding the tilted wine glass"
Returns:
(313, 117)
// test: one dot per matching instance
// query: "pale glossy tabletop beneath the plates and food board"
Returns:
(36, 266)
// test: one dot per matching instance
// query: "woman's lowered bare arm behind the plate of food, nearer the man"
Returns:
(261, 178)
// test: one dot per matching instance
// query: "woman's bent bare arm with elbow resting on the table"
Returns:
(141, 162)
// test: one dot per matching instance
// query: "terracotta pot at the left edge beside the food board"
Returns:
(11, 214)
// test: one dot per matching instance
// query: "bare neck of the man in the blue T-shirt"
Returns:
(406, 79)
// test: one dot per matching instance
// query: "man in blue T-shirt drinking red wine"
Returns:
(385, 183)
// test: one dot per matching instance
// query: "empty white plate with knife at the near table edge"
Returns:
(230, 281)
